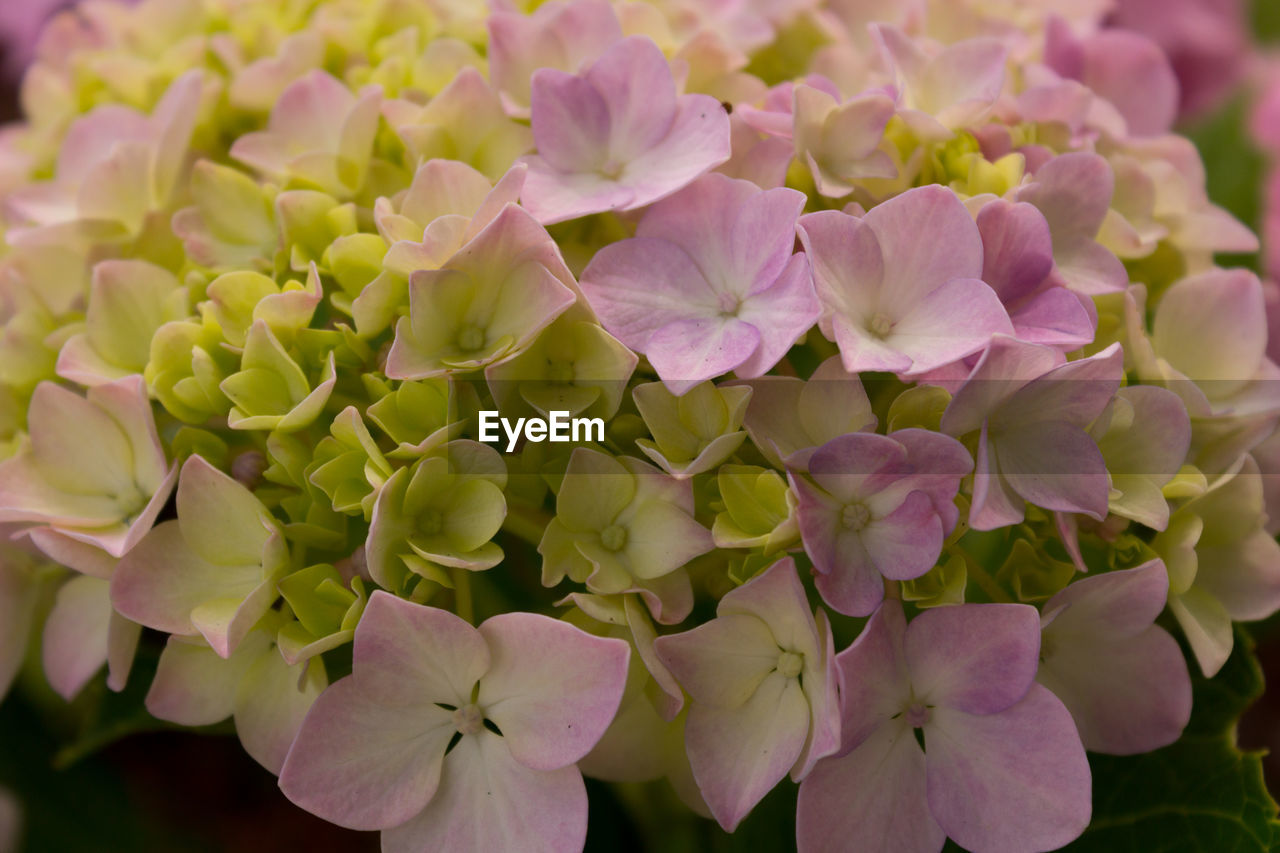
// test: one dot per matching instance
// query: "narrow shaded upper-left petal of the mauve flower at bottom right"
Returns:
(875, 686)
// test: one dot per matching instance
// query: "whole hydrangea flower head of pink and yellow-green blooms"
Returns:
(922, 399)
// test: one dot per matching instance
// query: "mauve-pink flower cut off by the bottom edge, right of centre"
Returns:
(1002, 767)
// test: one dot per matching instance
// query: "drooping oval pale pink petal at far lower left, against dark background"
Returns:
(76, 635)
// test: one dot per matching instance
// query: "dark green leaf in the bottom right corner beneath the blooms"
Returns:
(1201, 793)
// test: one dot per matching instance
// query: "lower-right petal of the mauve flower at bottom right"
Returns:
(1016, 781)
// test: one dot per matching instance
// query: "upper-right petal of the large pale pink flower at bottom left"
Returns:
(551, 715)
